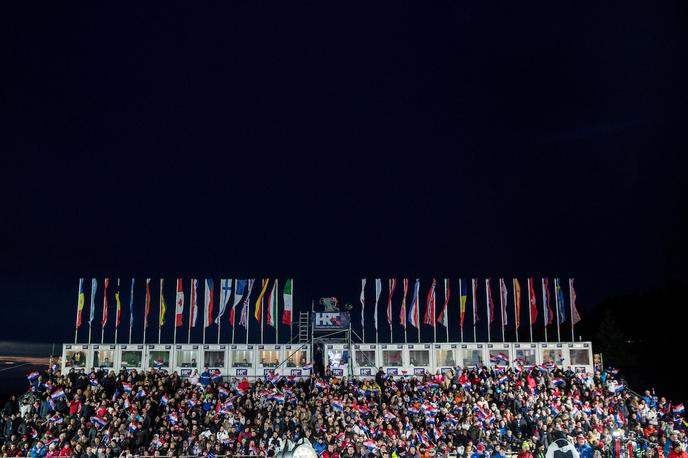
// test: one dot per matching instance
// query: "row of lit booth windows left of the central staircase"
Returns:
(185, 358)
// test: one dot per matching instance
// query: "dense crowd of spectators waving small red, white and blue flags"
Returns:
(475, 413)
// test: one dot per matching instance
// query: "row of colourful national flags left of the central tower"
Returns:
(240, 289)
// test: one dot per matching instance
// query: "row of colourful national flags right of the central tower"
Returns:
(409, 313)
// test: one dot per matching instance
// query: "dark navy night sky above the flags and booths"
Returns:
(334, 141)
